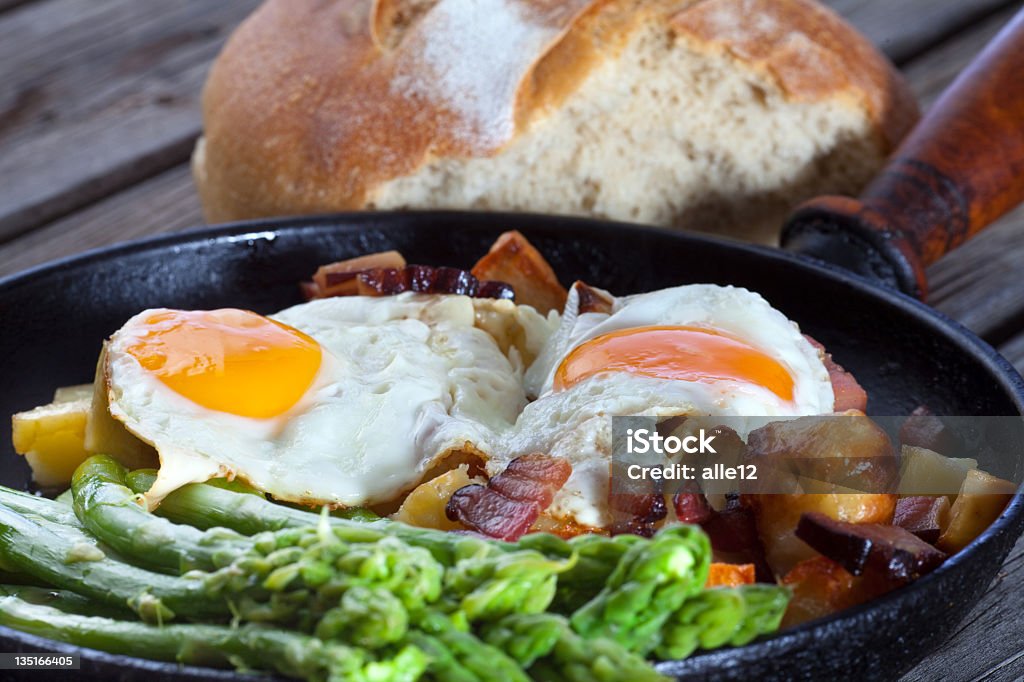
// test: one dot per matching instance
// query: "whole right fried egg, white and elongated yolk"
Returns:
(691, 351)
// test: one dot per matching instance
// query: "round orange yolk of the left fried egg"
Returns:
(230, 361)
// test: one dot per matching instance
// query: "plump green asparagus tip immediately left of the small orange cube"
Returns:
(651, 582)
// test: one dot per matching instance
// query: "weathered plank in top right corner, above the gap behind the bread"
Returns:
(906, 29)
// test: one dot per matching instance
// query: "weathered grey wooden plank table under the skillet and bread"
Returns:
(100, 110)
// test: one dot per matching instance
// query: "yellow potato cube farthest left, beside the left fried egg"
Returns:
(53, 440)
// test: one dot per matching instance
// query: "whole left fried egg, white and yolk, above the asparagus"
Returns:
(343, 401)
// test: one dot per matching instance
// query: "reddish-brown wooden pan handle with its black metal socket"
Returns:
(960, 169)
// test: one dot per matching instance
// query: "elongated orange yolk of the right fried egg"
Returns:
(681, 354)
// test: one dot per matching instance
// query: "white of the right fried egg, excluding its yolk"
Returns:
(576, 423)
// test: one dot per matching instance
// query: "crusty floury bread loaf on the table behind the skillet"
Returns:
(716, 115)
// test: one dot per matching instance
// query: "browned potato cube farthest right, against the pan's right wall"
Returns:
(982, 500)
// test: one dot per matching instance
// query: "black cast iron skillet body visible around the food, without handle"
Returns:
(905, 354)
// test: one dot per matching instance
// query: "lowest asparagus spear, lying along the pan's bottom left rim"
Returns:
(249, 648)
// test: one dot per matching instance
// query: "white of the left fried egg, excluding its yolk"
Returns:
(404, 381)
